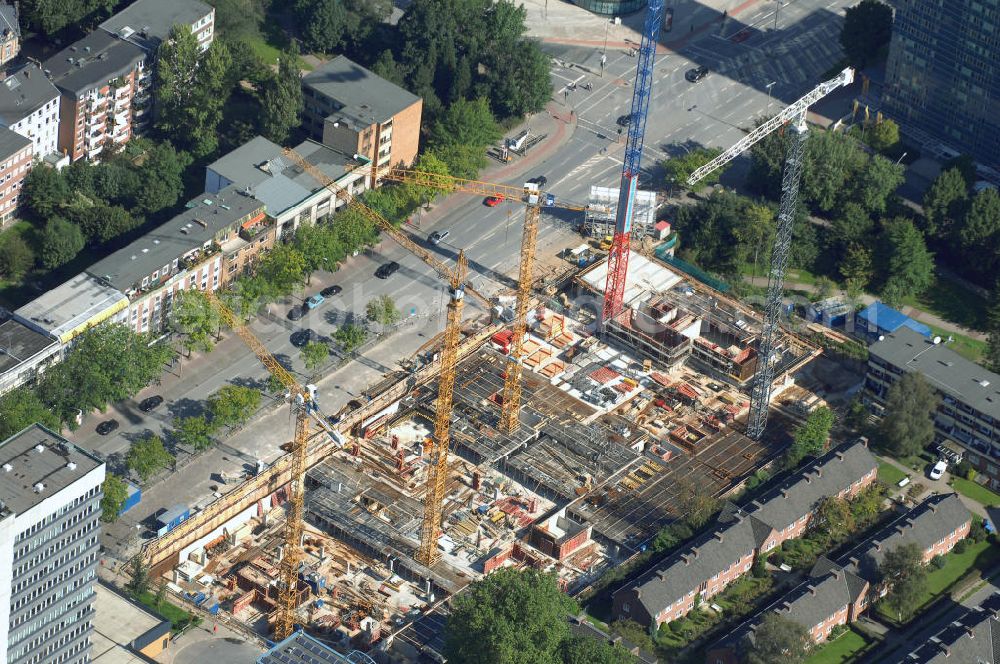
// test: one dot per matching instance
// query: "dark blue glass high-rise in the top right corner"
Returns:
(943, 75)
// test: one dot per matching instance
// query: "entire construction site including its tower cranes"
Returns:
(547, 437)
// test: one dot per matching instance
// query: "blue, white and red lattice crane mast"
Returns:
(614, 289)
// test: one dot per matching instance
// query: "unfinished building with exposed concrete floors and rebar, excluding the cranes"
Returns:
(609, 437)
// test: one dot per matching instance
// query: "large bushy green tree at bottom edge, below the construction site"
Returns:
(509, 617)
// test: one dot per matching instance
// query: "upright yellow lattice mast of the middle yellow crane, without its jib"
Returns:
(437, 471)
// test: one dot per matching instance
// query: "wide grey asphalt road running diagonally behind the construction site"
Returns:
(682, 115)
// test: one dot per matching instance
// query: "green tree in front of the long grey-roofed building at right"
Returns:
(907, 426)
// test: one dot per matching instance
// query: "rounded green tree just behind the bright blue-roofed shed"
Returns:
(909, 266)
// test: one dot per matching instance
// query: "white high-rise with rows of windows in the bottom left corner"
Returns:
(50, 494)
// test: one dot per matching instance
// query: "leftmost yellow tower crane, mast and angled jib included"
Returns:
(302, 404)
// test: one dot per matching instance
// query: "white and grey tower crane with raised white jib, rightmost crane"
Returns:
(760, 392)
